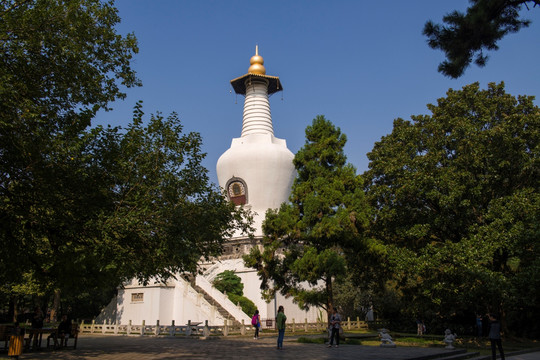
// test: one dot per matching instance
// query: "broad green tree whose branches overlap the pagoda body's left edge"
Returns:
(133, 203)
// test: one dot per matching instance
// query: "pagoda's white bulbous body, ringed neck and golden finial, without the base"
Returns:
(257, 171)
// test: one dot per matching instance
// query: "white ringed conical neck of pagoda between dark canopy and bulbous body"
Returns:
(257, 117)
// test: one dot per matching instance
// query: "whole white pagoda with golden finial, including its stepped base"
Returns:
(257, 171)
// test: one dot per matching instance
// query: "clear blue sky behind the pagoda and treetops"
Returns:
(362, 64)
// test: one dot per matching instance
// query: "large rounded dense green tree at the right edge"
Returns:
(456, 199)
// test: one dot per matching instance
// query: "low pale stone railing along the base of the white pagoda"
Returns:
(204, 330)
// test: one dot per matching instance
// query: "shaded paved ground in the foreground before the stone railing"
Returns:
(164, 348)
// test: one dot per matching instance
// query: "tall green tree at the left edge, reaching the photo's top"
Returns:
(60, 62)
